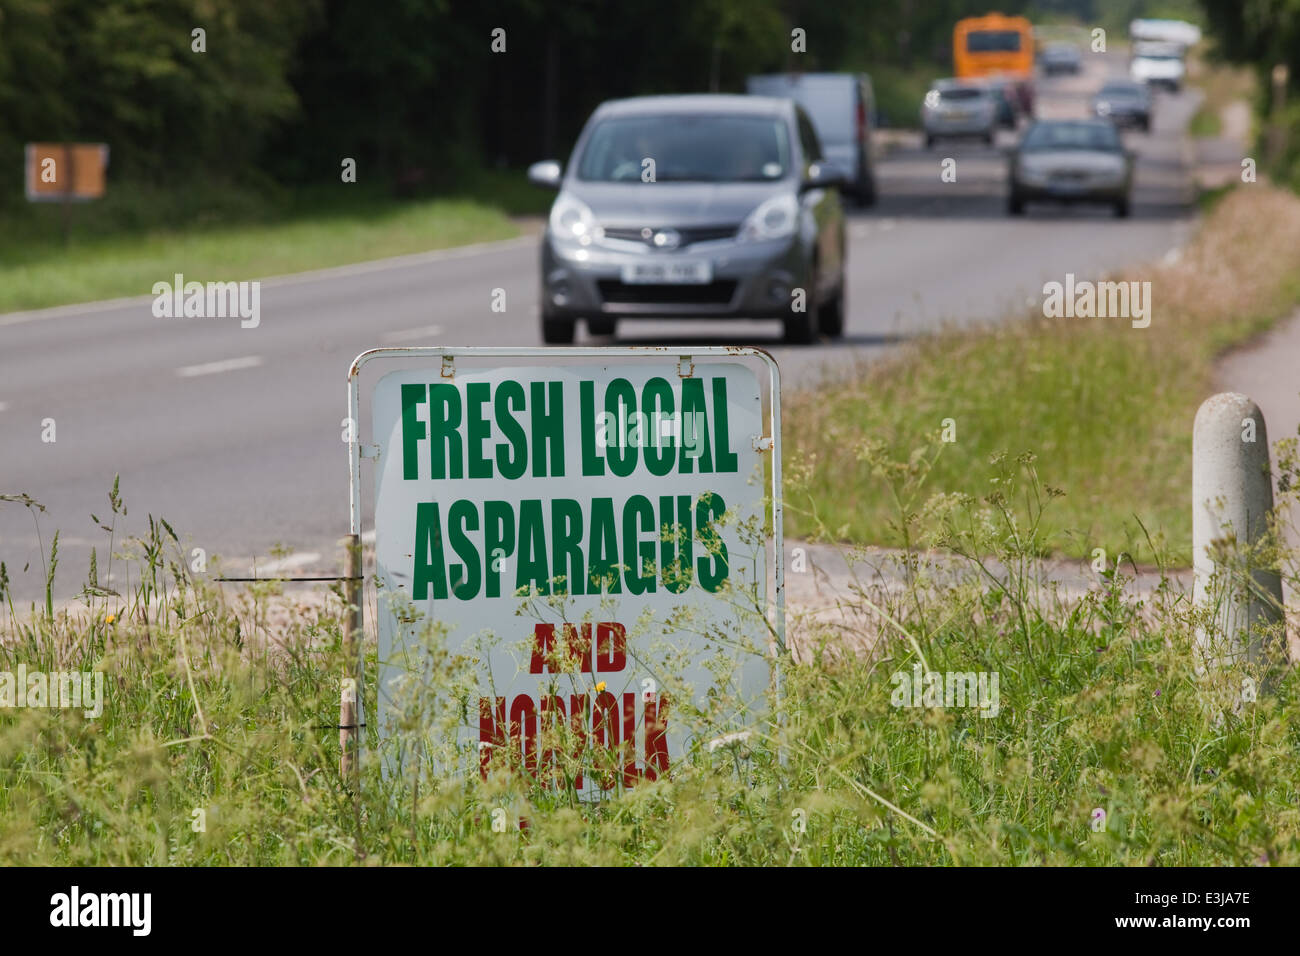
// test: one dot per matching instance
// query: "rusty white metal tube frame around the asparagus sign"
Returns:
(686, 356)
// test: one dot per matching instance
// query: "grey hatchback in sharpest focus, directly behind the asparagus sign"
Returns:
(695, 207)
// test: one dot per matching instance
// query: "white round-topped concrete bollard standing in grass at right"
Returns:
(1232, 505)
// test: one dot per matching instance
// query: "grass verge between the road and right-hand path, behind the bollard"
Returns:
(1108, 409)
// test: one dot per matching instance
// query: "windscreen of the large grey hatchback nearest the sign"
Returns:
(687, 148)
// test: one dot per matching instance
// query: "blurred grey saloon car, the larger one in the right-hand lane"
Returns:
(1071, 162)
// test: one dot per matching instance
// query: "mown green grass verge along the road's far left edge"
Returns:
(141, 235)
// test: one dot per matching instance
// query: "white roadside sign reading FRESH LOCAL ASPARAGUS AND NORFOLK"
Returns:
(592, 529)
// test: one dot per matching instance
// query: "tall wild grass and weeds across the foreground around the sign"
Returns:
(1103, 707)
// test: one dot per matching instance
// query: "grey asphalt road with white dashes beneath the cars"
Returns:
(235, 435)
